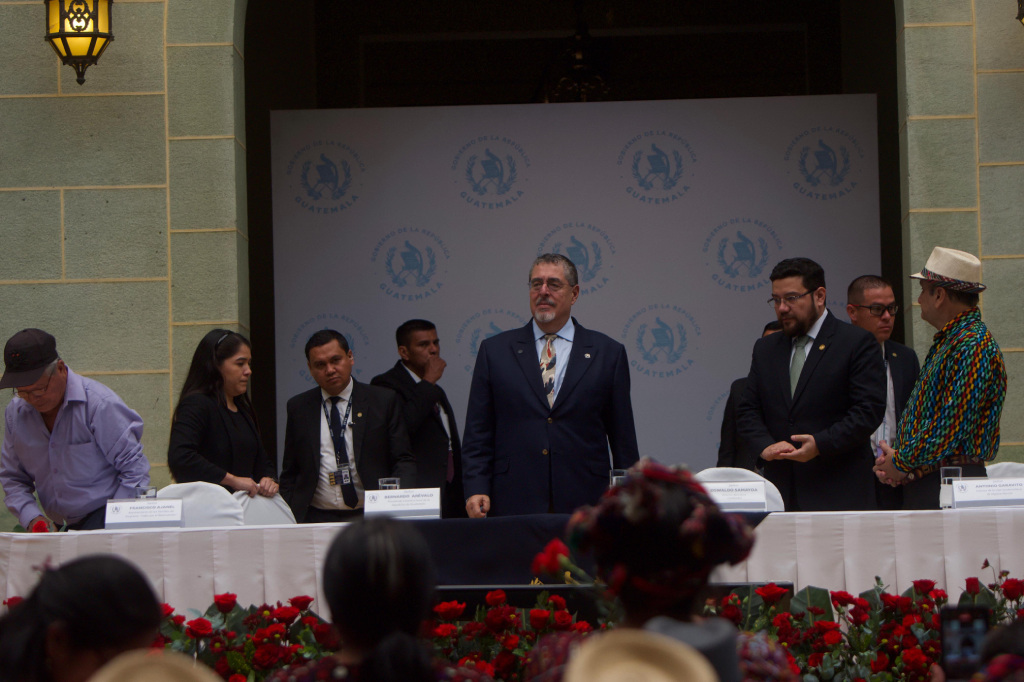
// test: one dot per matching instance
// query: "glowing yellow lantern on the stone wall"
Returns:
(79, 31)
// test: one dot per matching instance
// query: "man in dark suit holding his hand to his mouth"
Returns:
(428, 413)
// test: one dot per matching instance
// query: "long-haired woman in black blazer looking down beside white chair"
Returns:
(215, 435)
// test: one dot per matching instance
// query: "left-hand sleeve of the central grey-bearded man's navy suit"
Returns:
(479, 437)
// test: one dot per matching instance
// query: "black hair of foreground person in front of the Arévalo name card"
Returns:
(382, 568)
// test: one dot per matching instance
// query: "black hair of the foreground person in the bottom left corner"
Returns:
(102, 602)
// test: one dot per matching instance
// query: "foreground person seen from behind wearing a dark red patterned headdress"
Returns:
(656, 540)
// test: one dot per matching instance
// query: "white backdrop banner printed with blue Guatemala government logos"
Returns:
(674, 212)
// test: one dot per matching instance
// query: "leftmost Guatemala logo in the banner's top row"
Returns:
(323, 177)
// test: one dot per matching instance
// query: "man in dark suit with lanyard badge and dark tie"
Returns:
(330, 460)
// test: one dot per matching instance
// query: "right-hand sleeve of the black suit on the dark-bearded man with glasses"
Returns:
(867, 401)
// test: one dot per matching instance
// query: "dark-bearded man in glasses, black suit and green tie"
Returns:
(815, 396)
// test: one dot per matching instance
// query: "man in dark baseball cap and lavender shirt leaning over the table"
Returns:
(69, 439)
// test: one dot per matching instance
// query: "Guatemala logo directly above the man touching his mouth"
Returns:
(412, 263)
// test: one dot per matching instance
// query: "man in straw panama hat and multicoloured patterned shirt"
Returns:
(953, 415)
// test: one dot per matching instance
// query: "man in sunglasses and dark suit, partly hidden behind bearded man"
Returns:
(872, 307)
